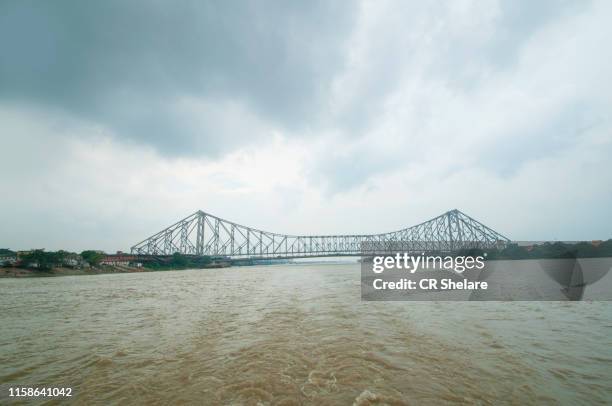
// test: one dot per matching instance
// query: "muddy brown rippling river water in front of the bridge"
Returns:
(292, 335)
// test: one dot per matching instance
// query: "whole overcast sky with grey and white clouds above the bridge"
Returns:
(119, 118)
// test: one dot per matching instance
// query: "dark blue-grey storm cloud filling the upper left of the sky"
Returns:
(126, 65)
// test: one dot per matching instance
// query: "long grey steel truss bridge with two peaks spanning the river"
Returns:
(204, 234)
